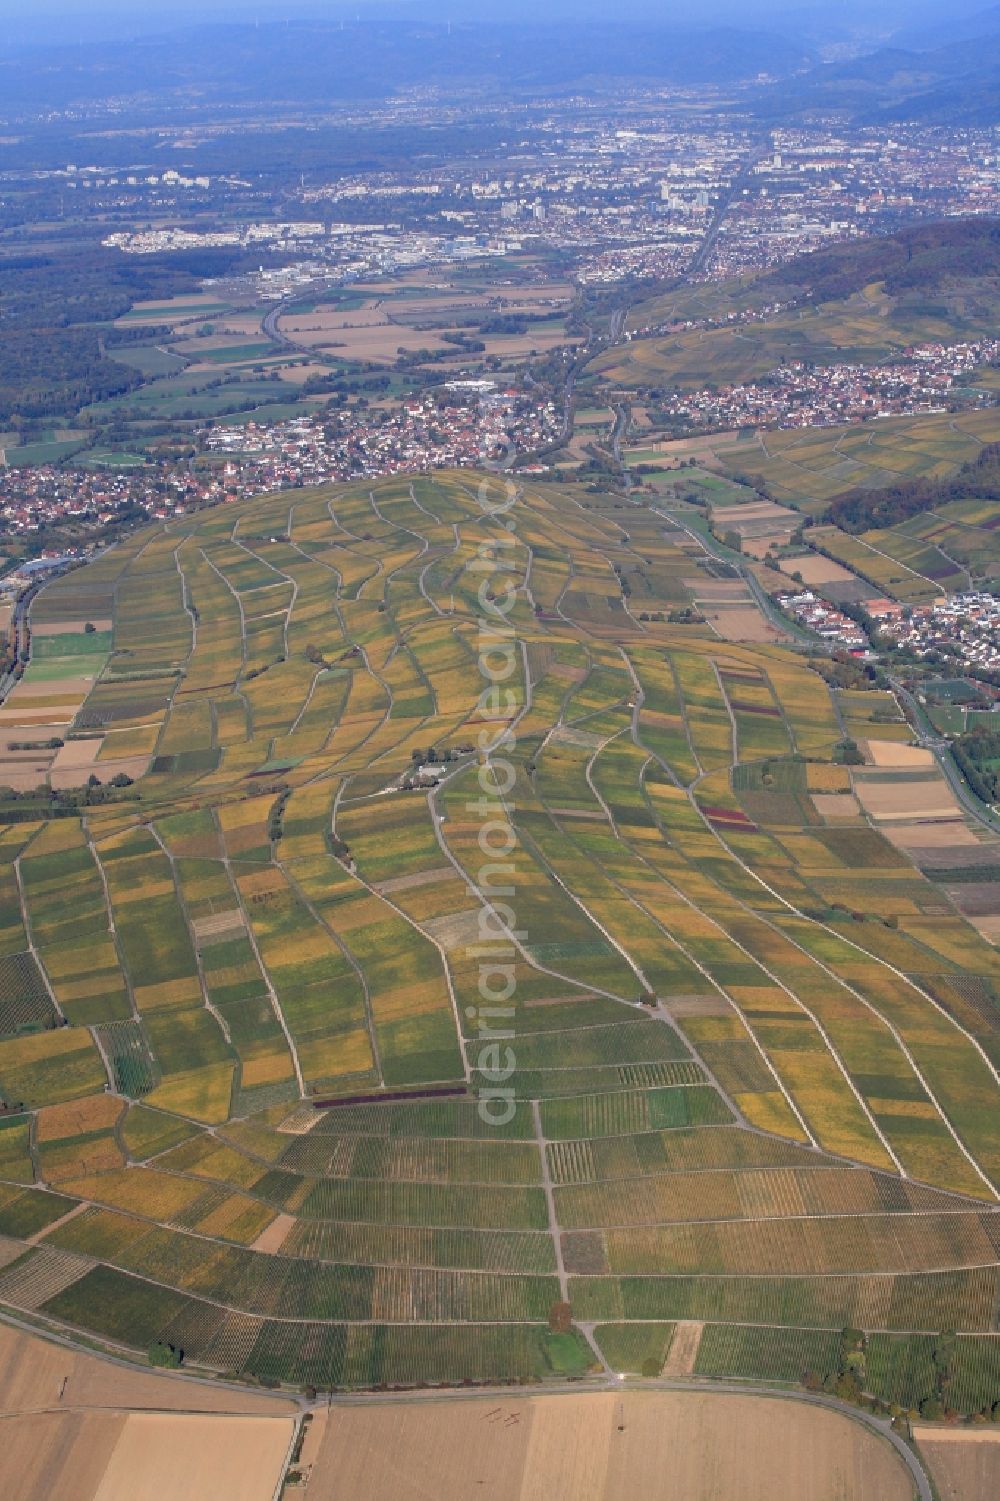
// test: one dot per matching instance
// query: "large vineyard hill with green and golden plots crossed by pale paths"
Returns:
(474, 943)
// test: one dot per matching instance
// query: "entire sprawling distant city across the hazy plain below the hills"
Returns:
(628, 191)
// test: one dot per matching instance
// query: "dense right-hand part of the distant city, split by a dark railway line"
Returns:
(639, 202)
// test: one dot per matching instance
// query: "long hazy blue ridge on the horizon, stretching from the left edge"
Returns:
(309, 61)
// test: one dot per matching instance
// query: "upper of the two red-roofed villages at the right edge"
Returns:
(798, 396)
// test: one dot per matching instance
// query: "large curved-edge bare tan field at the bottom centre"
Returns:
(601, 1448)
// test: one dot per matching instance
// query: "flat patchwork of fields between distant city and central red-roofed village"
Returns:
(220, 358)
